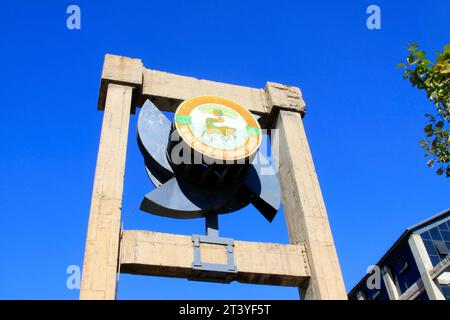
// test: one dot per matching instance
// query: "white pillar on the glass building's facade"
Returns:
(424, 265)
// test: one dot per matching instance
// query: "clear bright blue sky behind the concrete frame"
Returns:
(363, 122)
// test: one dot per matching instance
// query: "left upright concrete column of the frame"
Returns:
(102, 243)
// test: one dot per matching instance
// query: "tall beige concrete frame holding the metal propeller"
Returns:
(310, 262)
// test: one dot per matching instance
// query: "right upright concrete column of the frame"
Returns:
(304, 208)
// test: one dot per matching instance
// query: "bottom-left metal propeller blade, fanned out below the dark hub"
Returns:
(180, 199)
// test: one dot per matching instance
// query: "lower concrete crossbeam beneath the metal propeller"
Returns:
(171, 255)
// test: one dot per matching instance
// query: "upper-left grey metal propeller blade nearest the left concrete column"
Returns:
(153, 131)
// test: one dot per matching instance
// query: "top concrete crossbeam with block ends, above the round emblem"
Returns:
(168, 90)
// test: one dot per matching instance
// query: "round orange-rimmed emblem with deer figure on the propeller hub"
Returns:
(218, 128)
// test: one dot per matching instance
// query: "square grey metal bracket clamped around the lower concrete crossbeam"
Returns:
(213, 272)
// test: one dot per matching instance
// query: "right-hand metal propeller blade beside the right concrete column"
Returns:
(261, 180)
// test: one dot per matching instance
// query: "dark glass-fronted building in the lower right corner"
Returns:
(398, 268)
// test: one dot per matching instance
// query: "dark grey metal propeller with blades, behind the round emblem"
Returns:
(197, 189)
